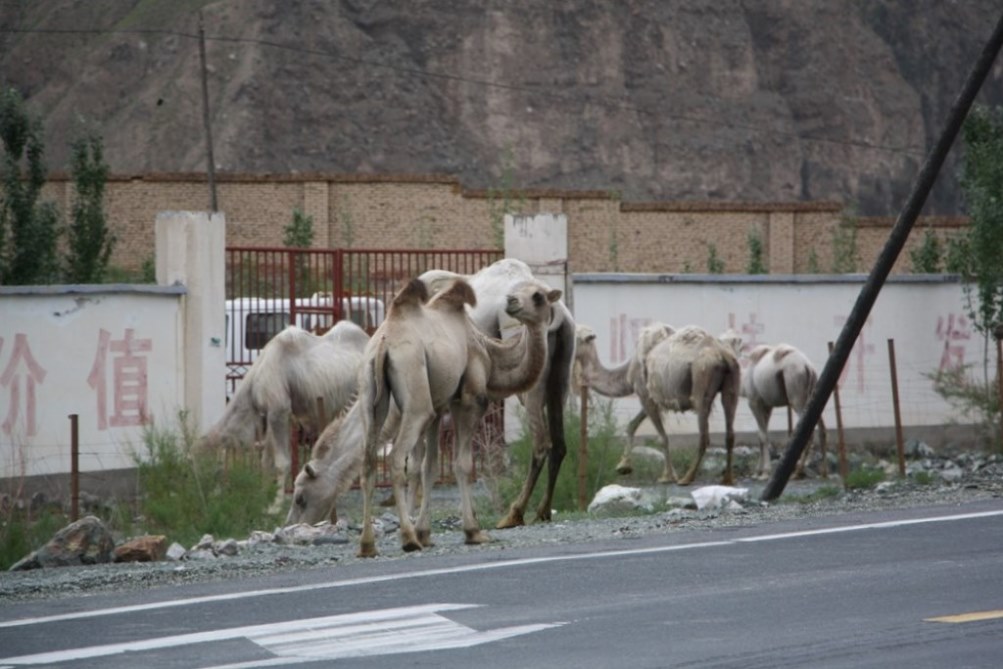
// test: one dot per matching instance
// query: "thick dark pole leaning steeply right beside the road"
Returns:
(896, 242)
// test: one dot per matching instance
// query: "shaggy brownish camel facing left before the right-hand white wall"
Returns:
(678, 371)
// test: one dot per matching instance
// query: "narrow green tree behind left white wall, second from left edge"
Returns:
(91, 241)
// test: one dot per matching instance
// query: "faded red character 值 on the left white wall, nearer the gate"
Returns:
(129, 379)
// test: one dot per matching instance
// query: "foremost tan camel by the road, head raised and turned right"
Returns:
(429, 359)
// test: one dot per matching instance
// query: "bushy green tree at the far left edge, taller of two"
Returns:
(30, 230)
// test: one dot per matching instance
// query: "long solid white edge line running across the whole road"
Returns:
(483, 567)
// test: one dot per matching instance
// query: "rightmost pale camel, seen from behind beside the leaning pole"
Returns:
(781, 376)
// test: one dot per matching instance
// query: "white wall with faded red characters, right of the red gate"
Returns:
(925, 316)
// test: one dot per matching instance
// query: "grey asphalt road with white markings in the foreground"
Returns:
(916, 588)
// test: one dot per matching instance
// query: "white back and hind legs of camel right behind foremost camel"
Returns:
(545, 402)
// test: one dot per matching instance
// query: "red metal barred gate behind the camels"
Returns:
(270, 288)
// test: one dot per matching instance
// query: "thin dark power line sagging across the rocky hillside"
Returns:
(601, 101)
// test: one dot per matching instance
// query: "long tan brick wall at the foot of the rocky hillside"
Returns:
(437, 212)
